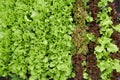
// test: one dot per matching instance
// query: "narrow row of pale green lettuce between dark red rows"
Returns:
(105, 44)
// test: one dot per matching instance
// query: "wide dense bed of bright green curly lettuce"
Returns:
(35, 39)
